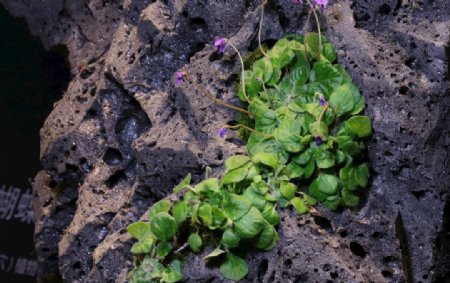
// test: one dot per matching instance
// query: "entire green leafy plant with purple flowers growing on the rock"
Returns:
(305, 146)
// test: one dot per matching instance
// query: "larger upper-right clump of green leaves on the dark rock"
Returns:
(299, 95)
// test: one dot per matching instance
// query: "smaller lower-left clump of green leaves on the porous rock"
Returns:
(238, 208)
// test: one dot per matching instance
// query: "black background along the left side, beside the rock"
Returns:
(31, 81)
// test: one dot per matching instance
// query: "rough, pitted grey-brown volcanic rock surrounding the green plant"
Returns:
(123, 134)
